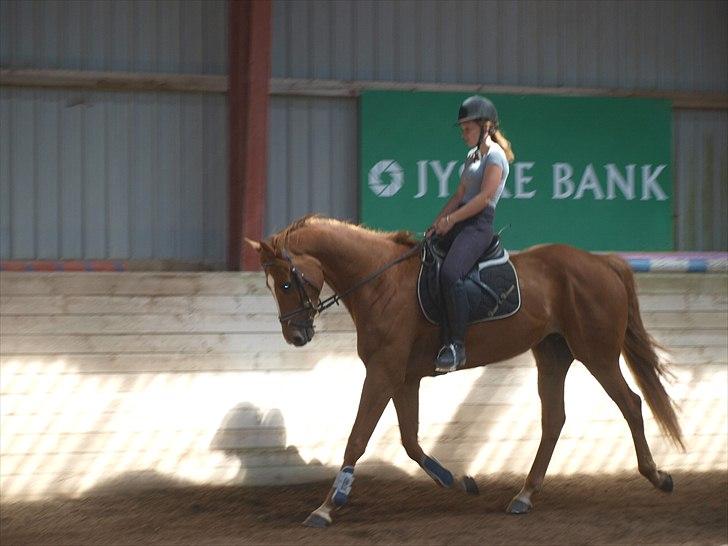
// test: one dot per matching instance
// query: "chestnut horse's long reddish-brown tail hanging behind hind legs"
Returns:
(641, 356)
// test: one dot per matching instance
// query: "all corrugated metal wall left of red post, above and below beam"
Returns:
(114, 175)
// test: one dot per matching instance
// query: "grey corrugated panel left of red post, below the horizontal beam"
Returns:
(113, 175)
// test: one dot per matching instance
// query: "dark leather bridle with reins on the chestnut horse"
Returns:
(305, 303)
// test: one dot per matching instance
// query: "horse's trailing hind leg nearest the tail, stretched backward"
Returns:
(609, 375)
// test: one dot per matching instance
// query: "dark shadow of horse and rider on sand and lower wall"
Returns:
(269, 468)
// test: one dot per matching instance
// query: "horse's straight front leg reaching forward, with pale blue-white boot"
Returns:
(375, 396)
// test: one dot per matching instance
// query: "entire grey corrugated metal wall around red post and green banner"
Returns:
(162, 157)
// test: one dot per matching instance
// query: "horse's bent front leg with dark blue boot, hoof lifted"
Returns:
(407, 403)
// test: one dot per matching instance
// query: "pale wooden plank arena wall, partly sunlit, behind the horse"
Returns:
(130, 380)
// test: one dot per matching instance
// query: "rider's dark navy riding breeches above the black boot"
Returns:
(466, 242)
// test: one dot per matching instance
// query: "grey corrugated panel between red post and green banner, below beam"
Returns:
(312, 160)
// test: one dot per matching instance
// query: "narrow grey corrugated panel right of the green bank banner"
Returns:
(701, 161)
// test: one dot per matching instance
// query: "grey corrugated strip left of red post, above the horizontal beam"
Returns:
(176, 36)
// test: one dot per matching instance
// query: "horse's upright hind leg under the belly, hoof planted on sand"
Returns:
(553, 359)
